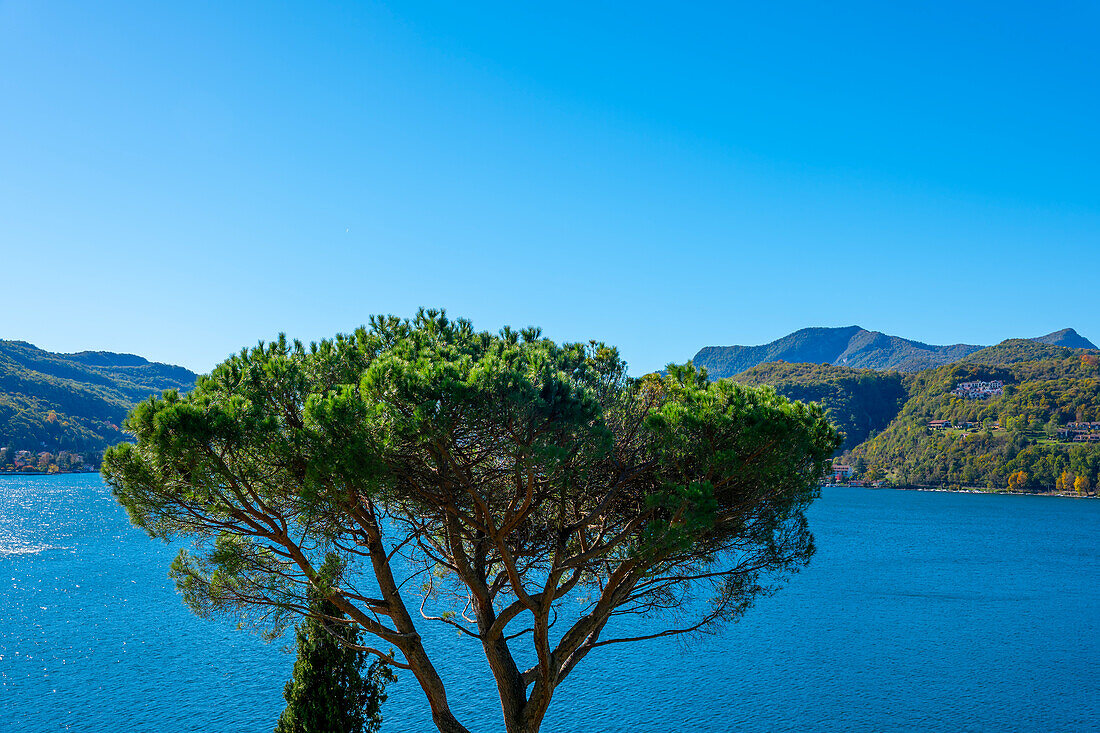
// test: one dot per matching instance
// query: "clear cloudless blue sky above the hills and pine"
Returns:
(181, 181)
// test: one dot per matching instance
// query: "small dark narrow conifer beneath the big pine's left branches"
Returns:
(329, 692)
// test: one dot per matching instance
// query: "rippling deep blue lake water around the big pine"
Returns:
(921, 611)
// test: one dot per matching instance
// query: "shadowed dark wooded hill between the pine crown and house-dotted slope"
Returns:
(859, 401)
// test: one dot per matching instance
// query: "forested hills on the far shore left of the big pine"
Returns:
(74, 402)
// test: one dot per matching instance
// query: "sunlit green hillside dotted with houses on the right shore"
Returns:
(1035, 435)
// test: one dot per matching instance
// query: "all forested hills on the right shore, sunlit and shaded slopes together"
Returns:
(1024, 414)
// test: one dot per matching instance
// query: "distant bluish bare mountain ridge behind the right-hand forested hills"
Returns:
(856, 347)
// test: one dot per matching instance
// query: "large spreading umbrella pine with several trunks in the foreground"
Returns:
(525, 494)
